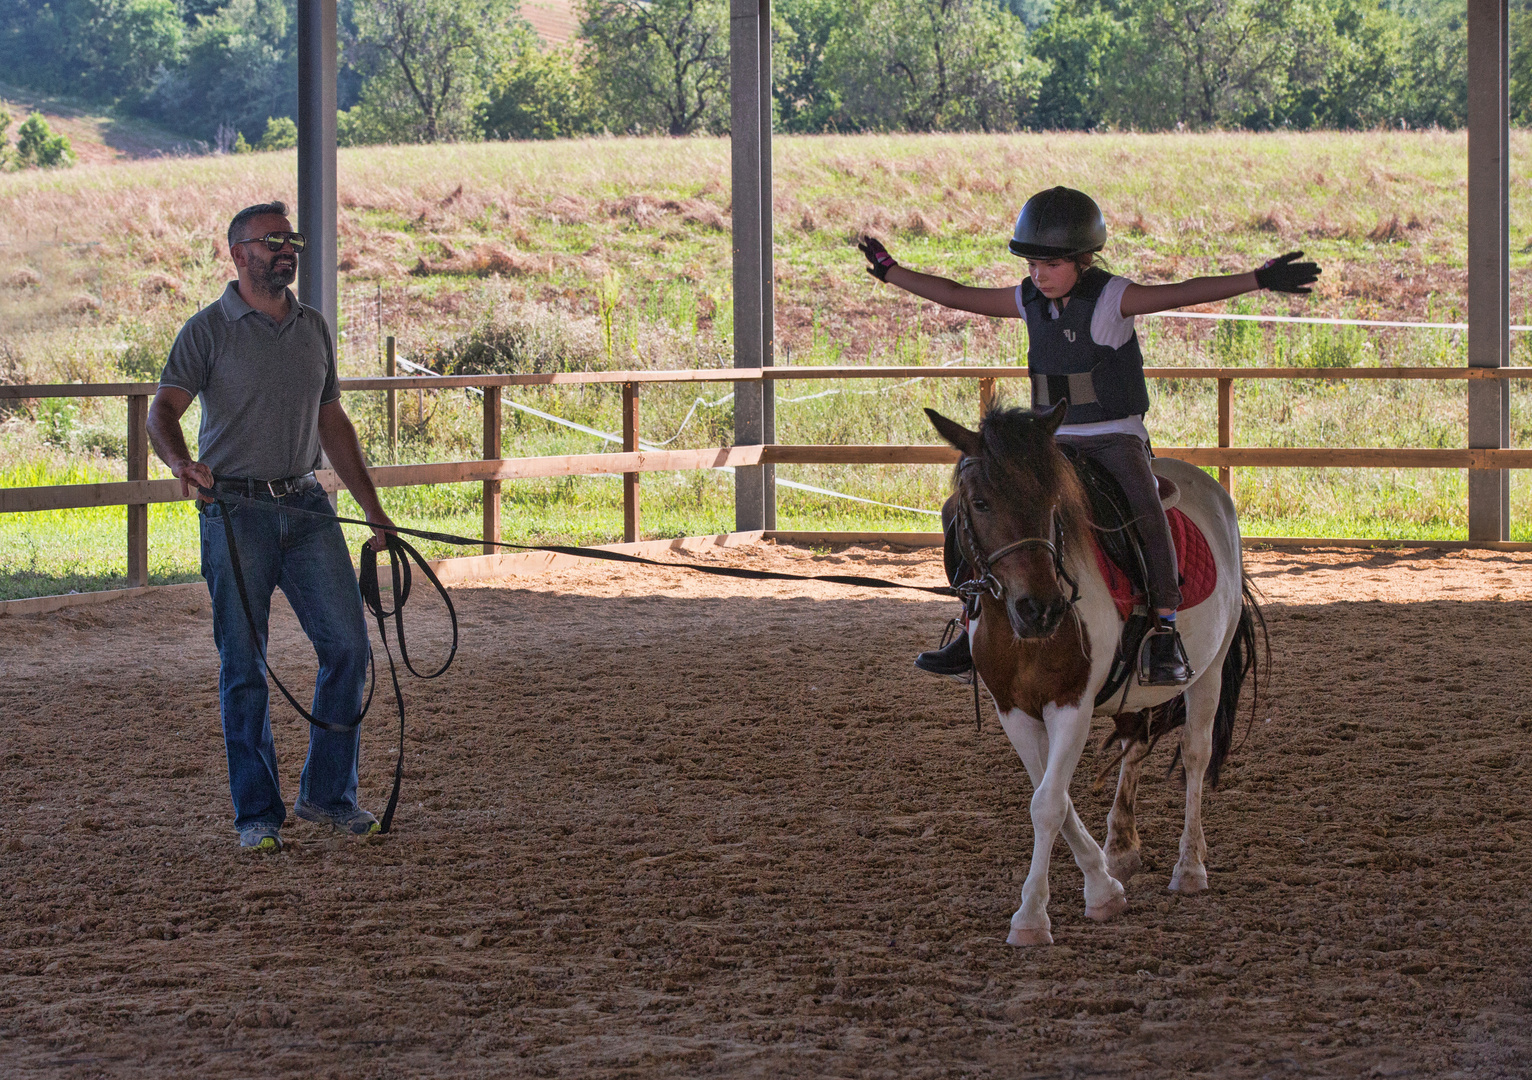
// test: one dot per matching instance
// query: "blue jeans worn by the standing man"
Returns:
(307, 560)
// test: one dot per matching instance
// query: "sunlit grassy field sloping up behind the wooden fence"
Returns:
(615, 254)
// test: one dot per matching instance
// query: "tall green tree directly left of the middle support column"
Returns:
(660, 65)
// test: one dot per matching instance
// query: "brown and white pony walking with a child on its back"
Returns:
(1047, 633)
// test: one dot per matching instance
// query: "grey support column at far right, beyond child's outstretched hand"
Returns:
(1488, 264)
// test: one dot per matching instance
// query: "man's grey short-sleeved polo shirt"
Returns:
(261, 385)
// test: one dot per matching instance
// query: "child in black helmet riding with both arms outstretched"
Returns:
(1082, 347)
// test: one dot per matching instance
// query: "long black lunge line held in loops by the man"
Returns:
(402, 554)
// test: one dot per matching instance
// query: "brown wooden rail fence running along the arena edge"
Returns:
(137, 493)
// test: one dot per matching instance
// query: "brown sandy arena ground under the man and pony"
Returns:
(660, 823)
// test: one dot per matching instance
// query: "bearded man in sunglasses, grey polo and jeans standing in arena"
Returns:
(264, 367)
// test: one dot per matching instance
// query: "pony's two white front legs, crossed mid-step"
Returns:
(1050, 750)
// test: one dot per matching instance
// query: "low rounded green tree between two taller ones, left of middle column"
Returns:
(538, 96)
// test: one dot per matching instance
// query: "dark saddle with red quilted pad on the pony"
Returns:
(1119, 555)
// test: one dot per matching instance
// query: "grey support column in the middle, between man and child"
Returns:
(745, 137)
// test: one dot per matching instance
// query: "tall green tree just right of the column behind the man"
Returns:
(430, 64)
